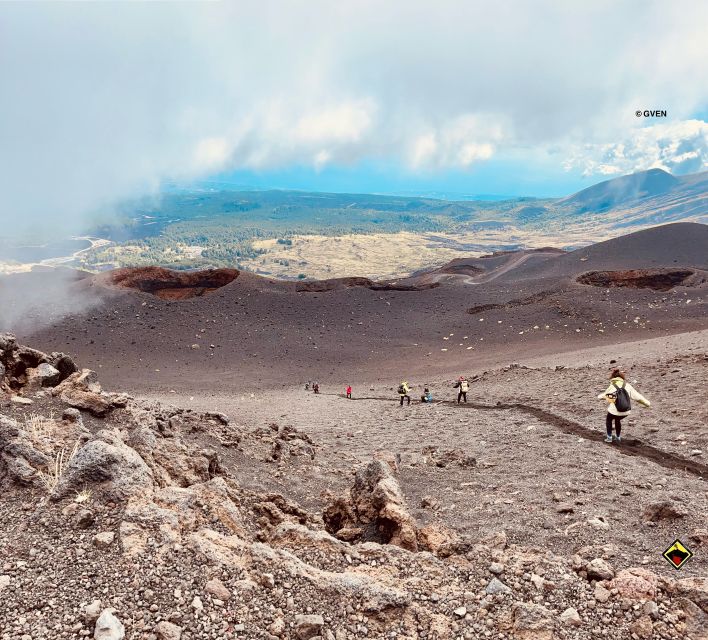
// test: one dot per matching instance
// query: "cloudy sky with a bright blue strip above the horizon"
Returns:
(105, 101)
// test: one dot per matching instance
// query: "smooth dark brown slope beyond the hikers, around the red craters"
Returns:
(256, 332)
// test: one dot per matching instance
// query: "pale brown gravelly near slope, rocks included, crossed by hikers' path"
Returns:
(224, 523)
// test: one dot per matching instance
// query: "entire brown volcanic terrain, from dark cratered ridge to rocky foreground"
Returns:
(202, 492)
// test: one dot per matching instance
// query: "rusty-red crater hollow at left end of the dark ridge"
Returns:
(173, 285)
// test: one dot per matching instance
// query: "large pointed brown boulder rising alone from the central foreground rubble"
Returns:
(374, 510)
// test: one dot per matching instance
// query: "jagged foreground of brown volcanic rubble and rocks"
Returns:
(123, 518)
